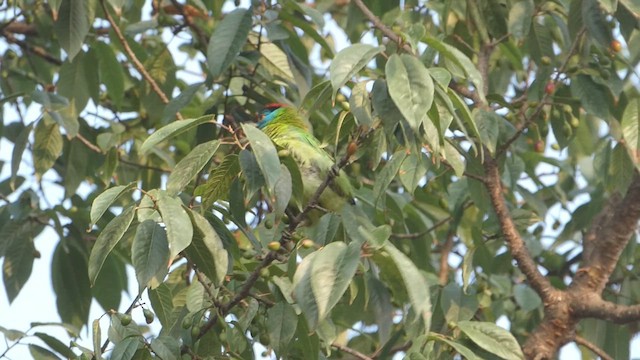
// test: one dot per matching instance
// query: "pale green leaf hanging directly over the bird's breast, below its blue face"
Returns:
(265, 153)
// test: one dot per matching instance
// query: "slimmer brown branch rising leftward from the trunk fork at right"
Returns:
(513, 239)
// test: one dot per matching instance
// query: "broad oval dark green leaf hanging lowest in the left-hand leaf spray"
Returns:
(149, 252)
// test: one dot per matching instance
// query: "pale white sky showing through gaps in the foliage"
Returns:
(36, 301)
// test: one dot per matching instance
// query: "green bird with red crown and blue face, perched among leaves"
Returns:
(285, 127)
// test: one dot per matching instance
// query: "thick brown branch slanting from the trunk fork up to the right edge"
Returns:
(608, 237)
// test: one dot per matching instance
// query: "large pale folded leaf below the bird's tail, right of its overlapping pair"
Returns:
(331, 272)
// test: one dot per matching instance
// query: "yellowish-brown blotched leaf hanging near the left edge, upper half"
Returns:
(47, 146)
